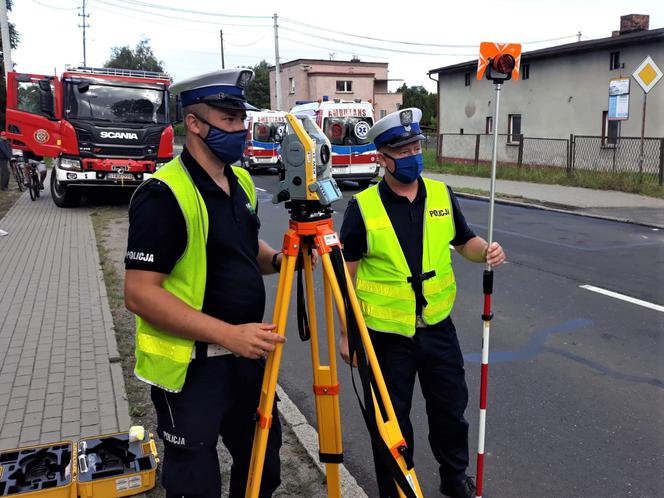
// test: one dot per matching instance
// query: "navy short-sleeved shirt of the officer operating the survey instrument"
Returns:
(234, 291)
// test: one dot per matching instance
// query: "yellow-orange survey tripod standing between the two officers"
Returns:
(304, 237)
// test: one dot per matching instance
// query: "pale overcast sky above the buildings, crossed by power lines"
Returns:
(188, 41)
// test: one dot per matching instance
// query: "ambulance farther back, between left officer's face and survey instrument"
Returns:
(261, 149)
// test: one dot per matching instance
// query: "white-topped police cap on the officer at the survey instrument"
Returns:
(224, 89)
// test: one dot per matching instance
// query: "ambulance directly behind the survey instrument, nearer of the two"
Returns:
(346, 123)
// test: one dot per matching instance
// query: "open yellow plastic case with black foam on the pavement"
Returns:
(105, 466)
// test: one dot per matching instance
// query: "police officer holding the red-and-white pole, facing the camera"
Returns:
(396, 237)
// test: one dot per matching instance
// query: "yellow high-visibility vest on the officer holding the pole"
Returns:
(386, 296)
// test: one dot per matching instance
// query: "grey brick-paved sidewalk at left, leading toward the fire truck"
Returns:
(59, 371)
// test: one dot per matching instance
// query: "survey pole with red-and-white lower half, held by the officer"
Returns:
(487, 314)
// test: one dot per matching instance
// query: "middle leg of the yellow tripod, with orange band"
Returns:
(326, 390)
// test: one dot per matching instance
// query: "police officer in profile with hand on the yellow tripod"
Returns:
(194, 268)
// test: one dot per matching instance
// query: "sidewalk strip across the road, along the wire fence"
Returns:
(608, 204)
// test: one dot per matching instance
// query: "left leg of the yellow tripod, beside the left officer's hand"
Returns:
(266, 404)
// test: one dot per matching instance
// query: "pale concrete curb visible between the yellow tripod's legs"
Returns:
(308, 438)
